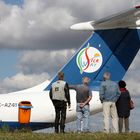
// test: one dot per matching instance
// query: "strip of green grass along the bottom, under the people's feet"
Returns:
(91, 136)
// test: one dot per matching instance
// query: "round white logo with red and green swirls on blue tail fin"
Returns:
(89, 59)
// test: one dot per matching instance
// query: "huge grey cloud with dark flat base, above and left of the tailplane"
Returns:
(44, 24)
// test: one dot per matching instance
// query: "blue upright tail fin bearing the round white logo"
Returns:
(105, 50)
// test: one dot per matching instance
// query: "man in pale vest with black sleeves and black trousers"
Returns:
(59, 94)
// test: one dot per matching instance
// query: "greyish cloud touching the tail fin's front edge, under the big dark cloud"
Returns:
(40, 61)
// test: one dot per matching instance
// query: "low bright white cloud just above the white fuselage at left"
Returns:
(21, 81)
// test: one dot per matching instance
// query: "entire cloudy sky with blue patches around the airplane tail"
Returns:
(36, 41)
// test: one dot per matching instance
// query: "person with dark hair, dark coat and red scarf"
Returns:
(123, 107)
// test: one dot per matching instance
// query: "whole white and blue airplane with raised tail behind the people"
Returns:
(112, 46)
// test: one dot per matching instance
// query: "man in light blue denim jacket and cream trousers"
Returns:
(109, 94)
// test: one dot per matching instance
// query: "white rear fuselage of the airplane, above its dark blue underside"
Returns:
(43, 110)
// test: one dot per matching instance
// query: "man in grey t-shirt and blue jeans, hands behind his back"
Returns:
(83, 97)
